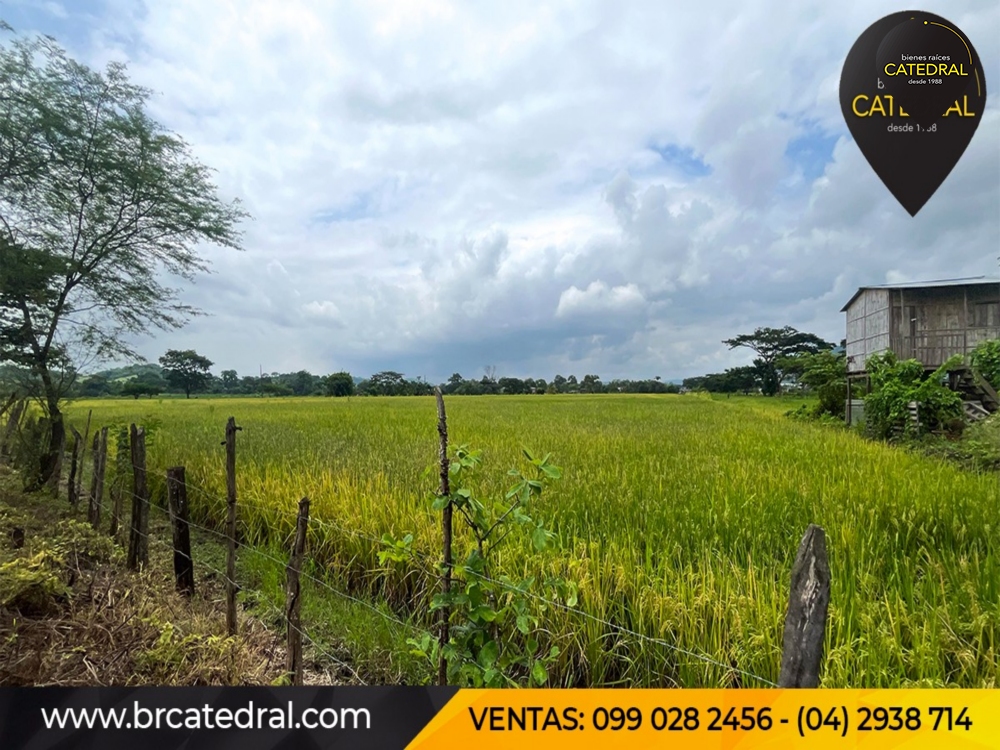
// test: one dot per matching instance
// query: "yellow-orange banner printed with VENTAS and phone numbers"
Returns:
(702, 719)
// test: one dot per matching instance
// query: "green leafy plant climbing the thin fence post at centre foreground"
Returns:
(493, 620)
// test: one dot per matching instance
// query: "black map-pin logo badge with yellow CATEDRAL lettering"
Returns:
(912, 92)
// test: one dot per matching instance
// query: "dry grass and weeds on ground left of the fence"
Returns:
(71, 615)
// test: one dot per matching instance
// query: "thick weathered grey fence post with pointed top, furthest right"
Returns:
(805, 622)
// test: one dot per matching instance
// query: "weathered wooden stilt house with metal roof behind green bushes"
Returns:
(928, 321)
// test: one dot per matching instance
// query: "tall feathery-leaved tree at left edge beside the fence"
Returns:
(103, 200)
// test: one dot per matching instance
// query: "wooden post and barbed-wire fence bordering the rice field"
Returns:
(804, 625)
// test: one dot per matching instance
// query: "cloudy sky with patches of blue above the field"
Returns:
(544, 187)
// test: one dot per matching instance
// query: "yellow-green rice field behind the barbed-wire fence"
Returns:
(678, 517)
